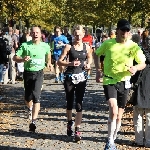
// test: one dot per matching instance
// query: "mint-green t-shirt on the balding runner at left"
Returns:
(37, 52)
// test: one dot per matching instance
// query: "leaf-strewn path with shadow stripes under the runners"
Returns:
(51, 125)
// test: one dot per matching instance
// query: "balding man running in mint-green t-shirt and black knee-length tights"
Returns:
(34, 54)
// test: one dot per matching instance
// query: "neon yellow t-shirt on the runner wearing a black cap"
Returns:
(117, 57)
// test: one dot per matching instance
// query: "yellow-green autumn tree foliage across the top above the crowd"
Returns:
(49, 13)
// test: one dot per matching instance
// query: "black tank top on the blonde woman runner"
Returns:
(73, 55)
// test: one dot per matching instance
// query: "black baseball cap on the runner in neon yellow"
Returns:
(123, 24)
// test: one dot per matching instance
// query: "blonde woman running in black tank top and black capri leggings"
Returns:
(80, 59)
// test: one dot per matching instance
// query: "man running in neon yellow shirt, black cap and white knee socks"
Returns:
(119, 54)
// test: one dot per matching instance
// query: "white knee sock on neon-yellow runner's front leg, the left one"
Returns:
(111, 130)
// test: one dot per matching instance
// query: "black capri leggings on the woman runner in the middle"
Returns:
(78, 89)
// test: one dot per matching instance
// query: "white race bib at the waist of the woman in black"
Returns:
(76, 78)
